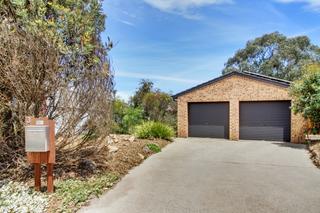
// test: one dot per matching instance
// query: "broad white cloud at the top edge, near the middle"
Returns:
(183, 7)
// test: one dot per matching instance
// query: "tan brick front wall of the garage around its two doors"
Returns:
(233, 89)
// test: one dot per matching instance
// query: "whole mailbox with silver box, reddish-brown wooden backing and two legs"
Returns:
(40, 147)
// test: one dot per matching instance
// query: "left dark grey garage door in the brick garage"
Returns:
(209, 120)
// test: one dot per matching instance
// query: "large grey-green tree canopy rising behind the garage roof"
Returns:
(275, 55)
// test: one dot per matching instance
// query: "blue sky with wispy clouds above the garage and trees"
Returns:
(180, 43)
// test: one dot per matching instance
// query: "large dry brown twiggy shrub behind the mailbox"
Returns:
(37, 80)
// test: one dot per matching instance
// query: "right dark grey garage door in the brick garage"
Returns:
(265, 120)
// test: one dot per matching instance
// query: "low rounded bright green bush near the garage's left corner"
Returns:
(151, 130)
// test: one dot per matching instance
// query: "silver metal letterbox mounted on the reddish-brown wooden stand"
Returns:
(37, 138)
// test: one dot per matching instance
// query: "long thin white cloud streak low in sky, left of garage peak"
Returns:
(154, 77)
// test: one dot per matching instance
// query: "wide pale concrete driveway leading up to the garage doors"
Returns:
(212, 175)
